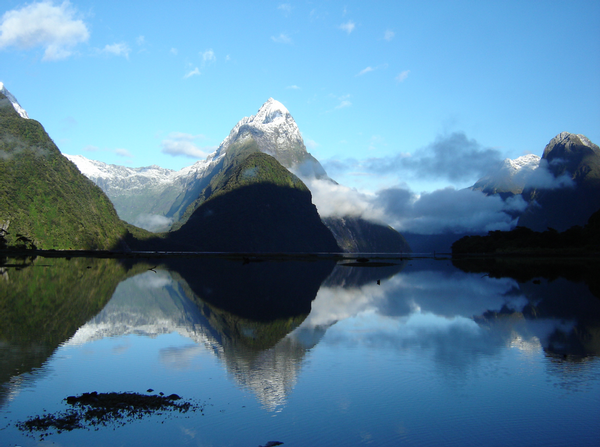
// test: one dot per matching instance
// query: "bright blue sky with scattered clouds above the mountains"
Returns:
(132, 82)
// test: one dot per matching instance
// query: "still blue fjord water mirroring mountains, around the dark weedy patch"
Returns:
(306, 353)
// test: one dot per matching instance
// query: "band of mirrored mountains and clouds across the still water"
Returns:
(263, 319)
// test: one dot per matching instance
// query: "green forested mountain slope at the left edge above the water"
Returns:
(45, 202)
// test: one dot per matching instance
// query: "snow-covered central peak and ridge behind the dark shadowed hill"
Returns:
(153, 198)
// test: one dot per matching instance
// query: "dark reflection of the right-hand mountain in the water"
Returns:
(563, 306)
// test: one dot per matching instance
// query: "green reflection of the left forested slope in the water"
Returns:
(43, 303)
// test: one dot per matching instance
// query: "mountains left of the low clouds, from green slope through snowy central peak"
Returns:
(242, 198)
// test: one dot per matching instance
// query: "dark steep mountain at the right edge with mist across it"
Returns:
(569, 192)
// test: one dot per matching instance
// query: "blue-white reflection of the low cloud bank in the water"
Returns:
(429, 310)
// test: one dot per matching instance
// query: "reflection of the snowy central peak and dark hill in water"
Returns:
(239, 312)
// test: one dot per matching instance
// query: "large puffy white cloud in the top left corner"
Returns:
(43, 25)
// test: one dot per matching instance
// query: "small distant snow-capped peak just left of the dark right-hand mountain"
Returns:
(510, 178)
